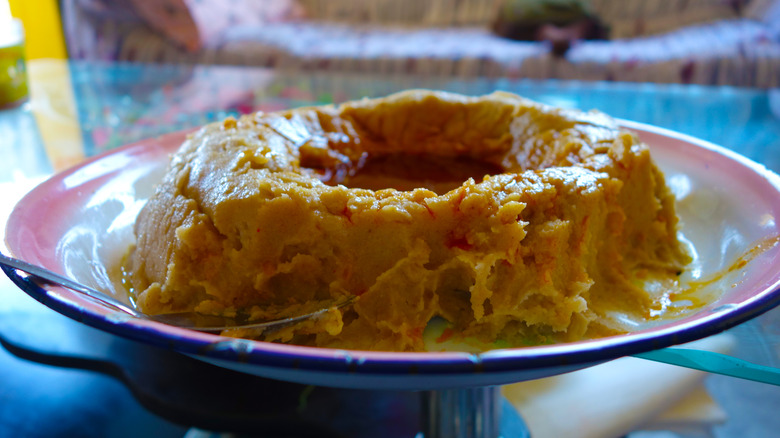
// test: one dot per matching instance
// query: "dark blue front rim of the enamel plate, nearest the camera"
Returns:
(348, 361)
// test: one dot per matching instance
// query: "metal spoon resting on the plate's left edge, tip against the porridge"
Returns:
(188, 320)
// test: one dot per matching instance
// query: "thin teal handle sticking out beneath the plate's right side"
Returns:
(714, 363)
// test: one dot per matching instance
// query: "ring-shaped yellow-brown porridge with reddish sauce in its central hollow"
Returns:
(513, 221)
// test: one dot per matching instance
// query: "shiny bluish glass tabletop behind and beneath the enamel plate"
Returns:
(81, 109)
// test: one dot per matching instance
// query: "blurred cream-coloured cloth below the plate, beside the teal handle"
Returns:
(618, 397)
